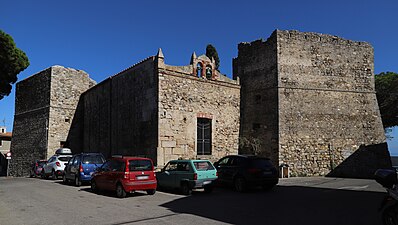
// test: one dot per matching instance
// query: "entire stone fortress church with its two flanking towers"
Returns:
(303, 99)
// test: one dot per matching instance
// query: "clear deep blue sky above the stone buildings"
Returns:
(105, 37)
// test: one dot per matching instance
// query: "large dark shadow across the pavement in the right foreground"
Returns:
(284, 205)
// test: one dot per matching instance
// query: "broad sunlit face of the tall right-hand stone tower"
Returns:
(327, 101)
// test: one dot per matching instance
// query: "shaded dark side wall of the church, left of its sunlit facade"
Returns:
(119, 115)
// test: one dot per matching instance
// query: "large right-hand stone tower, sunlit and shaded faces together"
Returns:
(319, 99)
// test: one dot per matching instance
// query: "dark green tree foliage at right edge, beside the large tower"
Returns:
(387, 97)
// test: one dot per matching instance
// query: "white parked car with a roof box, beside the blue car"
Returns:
(56, 164)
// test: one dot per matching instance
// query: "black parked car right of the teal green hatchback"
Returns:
(244, 171)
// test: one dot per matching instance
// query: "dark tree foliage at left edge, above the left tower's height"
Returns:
(12, 62)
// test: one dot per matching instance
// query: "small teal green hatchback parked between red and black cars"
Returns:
(187, 175)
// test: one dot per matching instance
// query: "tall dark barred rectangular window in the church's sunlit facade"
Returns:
(204, 136)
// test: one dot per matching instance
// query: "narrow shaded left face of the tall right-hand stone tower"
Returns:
(256, 67)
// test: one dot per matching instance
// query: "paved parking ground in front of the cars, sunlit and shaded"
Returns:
(294, 201)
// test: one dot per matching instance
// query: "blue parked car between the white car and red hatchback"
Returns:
(81, 166)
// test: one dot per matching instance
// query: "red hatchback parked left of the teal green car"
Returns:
(125, 175)
